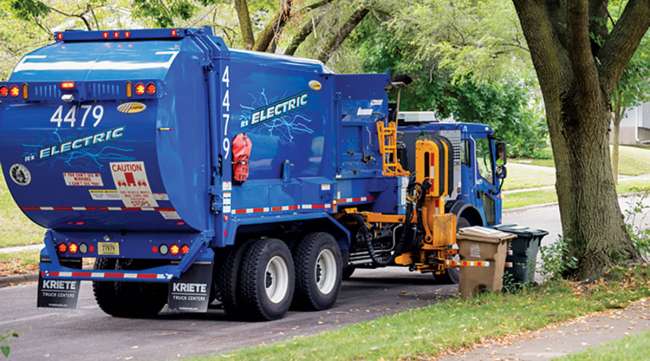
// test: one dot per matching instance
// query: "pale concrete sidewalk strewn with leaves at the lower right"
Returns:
(566, 338)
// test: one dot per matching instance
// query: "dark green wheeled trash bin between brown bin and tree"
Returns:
(523, 253)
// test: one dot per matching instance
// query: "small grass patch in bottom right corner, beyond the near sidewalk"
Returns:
(630, 348)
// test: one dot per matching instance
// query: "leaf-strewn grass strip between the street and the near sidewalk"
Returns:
(455, 323)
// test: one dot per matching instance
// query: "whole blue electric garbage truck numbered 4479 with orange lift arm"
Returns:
(172, 171)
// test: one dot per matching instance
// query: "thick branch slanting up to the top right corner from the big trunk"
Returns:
(622, 42)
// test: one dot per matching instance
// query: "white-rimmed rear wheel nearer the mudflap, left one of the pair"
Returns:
(266, 280)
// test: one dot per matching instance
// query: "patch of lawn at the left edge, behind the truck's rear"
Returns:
(15, 228)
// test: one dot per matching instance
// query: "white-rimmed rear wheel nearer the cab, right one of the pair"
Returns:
(319, 269)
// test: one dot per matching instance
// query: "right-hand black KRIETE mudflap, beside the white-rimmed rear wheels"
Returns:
(191, 292)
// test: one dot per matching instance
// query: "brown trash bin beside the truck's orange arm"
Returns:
(482, 244)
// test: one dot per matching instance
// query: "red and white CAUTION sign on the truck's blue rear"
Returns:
(131, 182)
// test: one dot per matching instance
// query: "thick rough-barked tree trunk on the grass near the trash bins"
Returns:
(579, 62)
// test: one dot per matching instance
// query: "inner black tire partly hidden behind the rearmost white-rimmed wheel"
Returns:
(226, 279)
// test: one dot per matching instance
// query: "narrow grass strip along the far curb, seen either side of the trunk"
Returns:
(545, 196)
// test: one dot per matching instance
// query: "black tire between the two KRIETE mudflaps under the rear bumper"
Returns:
(128, 299)
